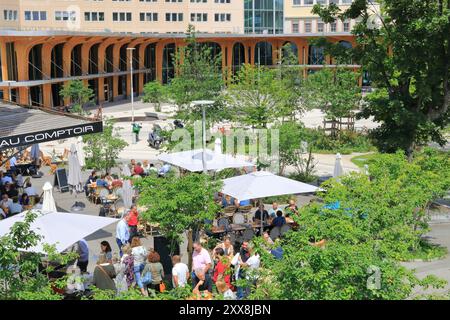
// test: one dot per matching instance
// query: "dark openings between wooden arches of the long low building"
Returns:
(79, 66)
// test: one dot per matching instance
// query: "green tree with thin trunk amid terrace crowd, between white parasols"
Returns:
(178, 204)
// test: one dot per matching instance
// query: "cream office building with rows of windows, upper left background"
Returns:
(127, 16)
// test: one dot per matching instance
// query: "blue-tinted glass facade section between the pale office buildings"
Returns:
(263, 16)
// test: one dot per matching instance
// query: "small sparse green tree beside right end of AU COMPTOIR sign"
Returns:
(102, 149)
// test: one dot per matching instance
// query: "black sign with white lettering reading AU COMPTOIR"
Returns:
(50, 135)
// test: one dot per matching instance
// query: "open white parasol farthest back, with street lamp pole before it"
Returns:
(191, 160)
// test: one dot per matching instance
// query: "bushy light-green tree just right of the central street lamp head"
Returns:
(252, 96)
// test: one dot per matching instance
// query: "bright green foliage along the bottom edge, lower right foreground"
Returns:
(340, 271)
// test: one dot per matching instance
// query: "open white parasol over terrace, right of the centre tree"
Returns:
(263, 184)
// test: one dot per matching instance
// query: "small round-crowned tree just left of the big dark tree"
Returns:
(335, 92)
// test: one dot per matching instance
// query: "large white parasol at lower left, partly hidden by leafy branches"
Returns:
(58, 228)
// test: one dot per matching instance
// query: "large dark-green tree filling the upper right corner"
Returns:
(407, 54)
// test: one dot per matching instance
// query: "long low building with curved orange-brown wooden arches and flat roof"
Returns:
(35, 64)
